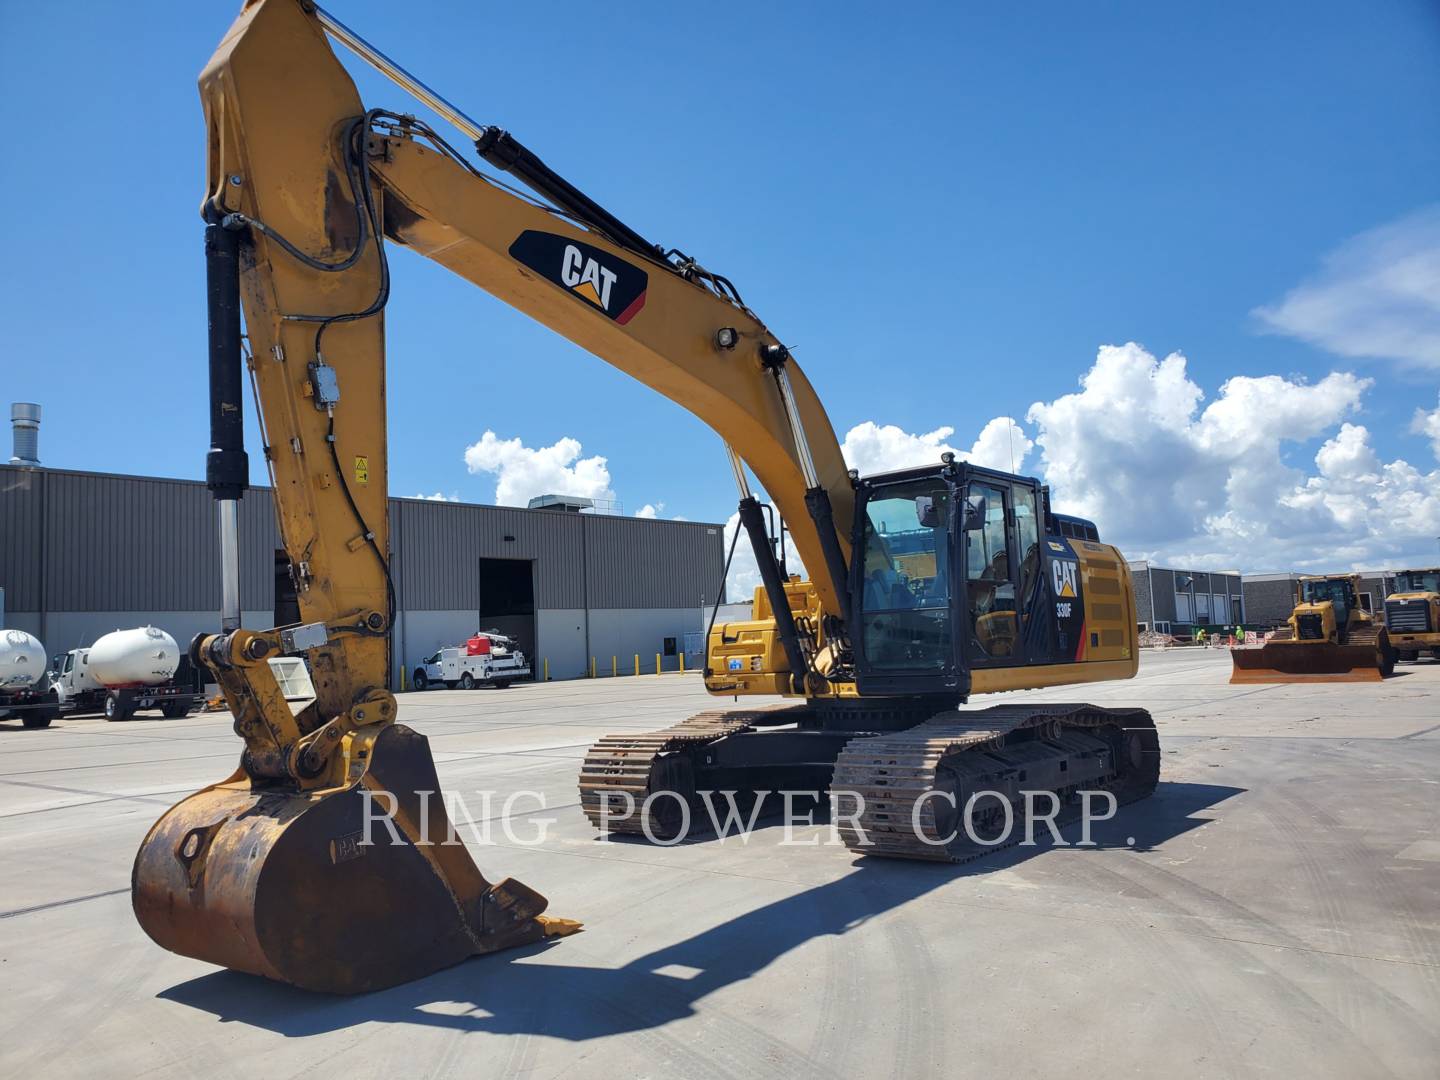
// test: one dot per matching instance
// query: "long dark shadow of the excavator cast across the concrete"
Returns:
(516, 994)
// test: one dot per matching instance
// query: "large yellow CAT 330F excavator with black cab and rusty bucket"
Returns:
(928, 585)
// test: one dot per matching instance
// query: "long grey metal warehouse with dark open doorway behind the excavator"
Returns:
(83, 554)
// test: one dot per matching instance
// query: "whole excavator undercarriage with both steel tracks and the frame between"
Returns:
(898, 794)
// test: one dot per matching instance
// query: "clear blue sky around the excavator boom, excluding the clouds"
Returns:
(947, 210)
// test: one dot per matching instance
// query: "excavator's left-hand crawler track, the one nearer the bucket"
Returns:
(621, 771)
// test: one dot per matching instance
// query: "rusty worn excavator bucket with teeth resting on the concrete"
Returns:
(282, 883)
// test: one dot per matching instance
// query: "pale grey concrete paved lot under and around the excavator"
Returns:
(1279, 914)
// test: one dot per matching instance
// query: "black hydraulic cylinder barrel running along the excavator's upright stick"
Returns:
(227, 466)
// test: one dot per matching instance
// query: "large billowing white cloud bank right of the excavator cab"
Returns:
(1210, 487)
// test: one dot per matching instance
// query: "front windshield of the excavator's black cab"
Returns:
(906, 593)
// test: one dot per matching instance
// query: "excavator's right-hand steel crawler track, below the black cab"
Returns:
(1007, 750)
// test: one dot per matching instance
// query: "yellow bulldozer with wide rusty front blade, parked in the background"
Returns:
(1330, 639)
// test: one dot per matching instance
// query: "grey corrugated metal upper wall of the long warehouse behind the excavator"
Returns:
(99, 542)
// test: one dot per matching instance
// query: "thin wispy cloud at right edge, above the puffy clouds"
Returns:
(1377, 296)
